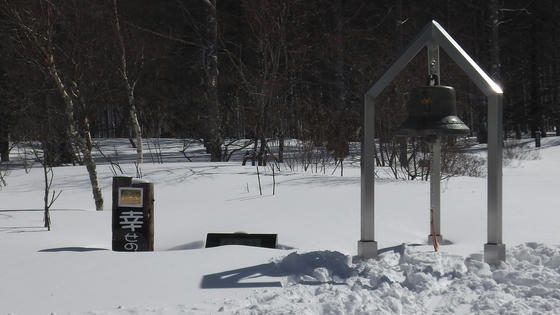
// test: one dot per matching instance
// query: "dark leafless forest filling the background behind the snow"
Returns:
(263, 70)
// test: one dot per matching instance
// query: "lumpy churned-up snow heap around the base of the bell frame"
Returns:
(408, 281)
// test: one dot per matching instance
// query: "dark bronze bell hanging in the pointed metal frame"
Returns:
(432, 111)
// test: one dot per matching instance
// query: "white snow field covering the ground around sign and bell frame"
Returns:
(72, 270)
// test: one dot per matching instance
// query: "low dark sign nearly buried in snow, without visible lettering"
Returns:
(258, 240)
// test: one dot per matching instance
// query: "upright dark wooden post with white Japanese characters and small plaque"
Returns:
(133, 215)
